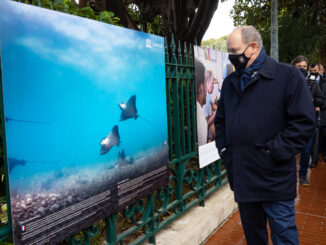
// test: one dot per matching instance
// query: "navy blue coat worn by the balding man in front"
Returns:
(263, 128)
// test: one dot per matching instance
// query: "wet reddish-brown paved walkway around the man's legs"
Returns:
(310, 215)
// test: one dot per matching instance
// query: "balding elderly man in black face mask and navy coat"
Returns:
(265, 116)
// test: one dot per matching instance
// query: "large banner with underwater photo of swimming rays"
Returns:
(85, 119)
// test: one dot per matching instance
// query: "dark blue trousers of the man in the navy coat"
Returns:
(281, 219)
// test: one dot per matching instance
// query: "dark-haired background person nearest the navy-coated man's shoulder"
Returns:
(301, 62)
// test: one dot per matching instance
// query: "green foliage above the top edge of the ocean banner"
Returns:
(70, 7)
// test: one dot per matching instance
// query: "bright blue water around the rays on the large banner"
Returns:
(66, 76)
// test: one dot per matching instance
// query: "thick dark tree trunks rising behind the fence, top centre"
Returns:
(188, 20)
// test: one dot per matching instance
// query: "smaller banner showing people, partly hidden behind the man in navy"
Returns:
(208, 88)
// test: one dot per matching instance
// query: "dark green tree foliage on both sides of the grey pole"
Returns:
(301, 25)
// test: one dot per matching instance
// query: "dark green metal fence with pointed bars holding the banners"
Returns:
(188, 186)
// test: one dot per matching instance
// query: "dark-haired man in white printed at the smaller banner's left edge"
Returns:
(201, 90)
